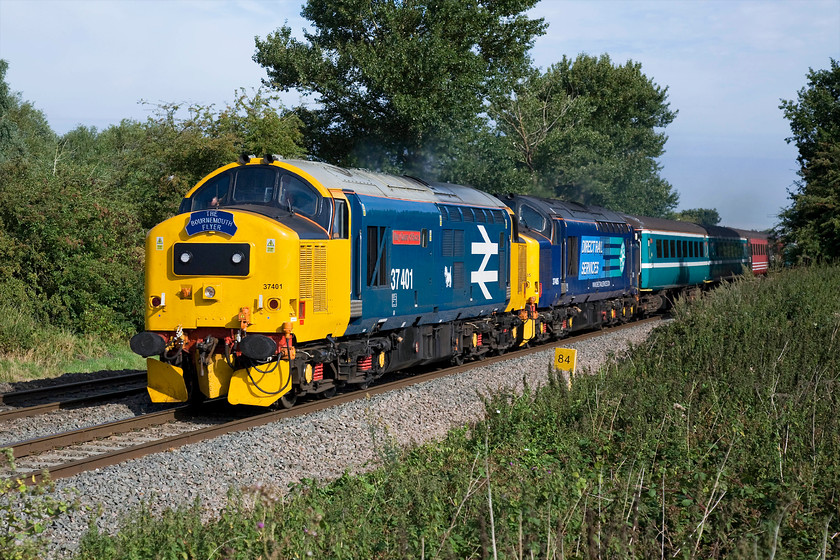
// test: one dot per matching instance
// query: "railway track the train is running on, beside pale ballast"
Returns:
(70, 453)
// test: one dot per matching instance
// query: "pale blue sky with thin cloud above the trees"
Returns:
(726, 64)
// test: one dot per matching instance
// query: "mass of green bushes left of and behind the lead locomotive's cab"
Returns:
(74, 209)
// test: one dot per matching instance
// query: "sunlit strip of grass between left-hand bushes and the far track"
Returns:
(50, 352)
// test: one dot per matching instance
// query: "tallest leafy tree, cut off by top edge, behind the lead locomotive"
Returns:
(397, 80)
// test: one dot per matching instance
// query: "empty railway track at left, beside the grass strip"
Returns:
(32, 402)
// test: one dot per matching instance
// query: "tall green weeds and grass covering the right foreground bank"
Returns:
(718, 438)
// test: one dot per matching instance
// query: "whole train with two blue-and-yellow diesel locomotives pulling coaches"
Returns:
(278, 278)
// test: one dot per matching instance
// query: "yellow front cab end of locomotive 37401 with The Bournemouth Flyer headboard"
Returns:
(229, 285)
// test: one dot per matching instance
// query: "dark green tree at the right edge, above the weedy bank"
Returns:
(810, 227)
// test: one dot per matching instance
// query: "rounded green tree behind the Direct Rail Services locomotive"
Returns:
(586, 131)
